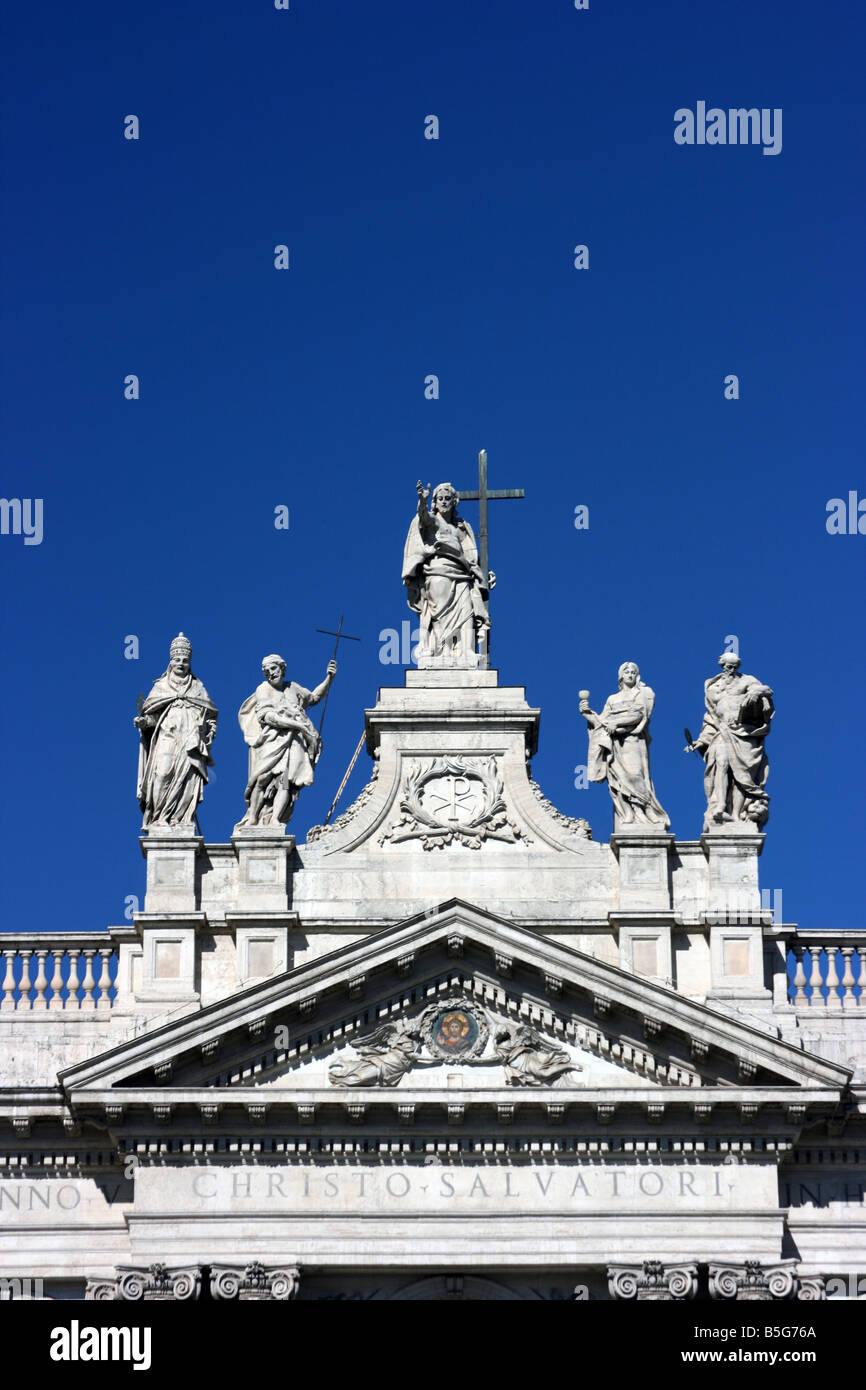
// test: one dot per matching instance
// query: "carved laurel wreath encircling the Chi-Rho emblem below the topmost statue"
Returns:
(491, 822)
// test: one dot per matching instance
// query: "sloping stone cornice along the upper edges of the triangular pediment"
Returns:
(544, 975)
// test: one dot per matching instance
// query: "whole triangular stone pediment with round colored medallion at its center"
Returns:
(555, 1022)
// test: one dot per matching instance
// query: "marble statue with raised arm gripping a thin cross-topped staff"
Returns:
(283, 740)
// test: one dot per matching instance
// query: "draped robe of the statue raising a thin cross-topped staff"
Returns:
(283, 758)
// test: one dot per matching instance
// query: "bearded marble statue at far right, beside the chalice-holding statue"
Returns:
(732, 743)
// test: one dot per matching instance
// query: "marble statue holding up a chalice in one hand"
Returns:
(619, 751)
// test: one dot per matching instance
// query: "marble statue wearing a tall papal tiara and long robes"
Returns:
(177, 725)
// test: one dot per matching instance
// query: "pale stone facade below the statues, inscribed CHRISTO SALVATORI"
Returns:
(450, 1047)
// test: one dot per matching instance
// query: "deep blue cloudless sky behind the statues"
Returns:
(307, 389)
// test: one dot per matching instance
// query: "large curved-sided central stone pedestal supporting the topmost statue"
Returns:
(452, 812)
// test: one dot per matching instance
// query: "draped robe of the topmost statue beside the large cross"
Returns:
(446, 590)
